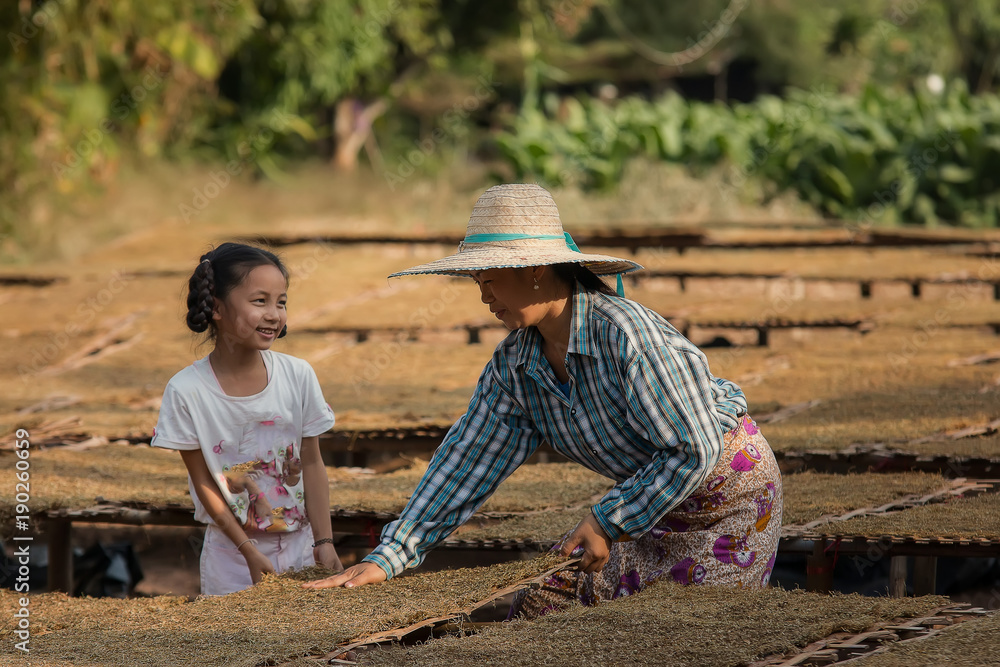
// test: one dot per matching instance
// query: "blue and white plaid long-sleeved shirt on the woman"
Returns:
(643, 409)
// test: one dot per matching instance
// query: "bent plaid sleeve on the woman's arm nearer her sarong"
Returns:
(670, 405)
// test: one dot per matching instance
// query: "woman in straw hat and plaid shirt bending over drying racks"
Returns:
(608, 384)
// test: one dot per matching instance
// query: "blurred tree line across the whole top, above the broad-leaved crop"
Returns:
(83, 81)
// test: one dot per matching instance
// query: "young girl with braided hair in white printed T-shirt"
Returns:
(246, 421)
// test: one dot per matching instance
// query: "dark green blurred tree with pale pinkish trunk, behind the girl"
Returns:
(334, 63)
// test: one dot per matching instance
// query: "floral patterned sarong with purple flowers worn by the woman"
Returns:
(725, 533)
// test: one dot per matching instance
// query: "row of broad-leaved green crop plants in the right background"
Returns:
(880, 156)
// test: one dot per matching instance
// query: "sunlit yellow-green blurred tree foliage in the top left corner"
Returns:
(81, 78)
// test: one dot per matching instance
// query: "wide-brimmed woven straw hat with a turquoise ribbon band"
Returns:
(513, 226)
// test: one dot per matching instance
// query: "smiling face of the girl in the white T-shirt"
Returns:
(253, 313)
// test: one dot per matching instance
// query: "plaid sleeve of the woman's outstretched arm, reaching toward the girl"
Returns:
(479, 452)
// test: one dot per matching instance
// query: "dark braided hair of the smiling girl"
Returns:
(219, 271)
